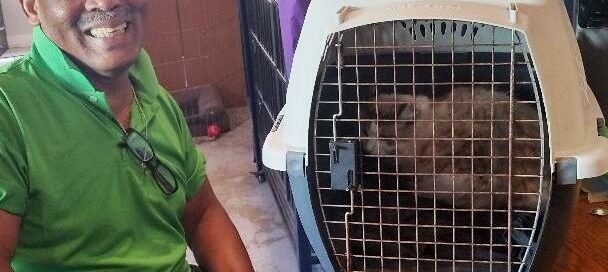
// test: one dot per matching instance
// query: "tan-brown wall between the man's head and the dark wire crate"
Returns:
(197, 42)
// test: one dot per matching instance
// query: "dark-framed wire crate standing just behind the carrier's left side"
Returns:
(266, 89)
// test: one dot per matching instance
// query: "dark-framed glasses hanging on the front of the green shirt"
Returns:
(143, 151)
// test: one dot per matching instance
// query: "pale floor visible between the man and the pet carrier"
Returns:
(250, 204)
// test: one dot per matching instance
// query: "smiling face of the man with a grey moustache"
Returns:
(102, 36)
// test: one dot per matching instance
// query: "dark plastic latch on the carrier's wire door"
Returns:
(343, 164)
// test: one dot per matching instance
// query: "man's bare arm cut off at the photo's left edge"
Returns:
(9, 231)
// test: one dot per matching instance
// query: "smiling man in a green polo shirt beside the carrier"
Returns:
(97, 168)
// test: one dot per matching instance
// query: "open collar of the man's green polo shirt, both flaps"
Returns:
(47, 53)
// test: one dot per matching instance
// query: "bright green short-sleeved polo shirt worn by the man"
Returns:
(86, 203)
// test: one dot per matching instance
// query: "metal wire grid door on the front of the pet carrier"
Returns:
(452, 171)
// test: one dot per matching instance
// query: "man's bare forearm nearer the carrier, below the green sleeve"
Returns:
(211, 235)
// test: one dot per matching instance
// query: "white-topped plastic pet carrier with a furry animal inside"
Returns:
(437, 135)
